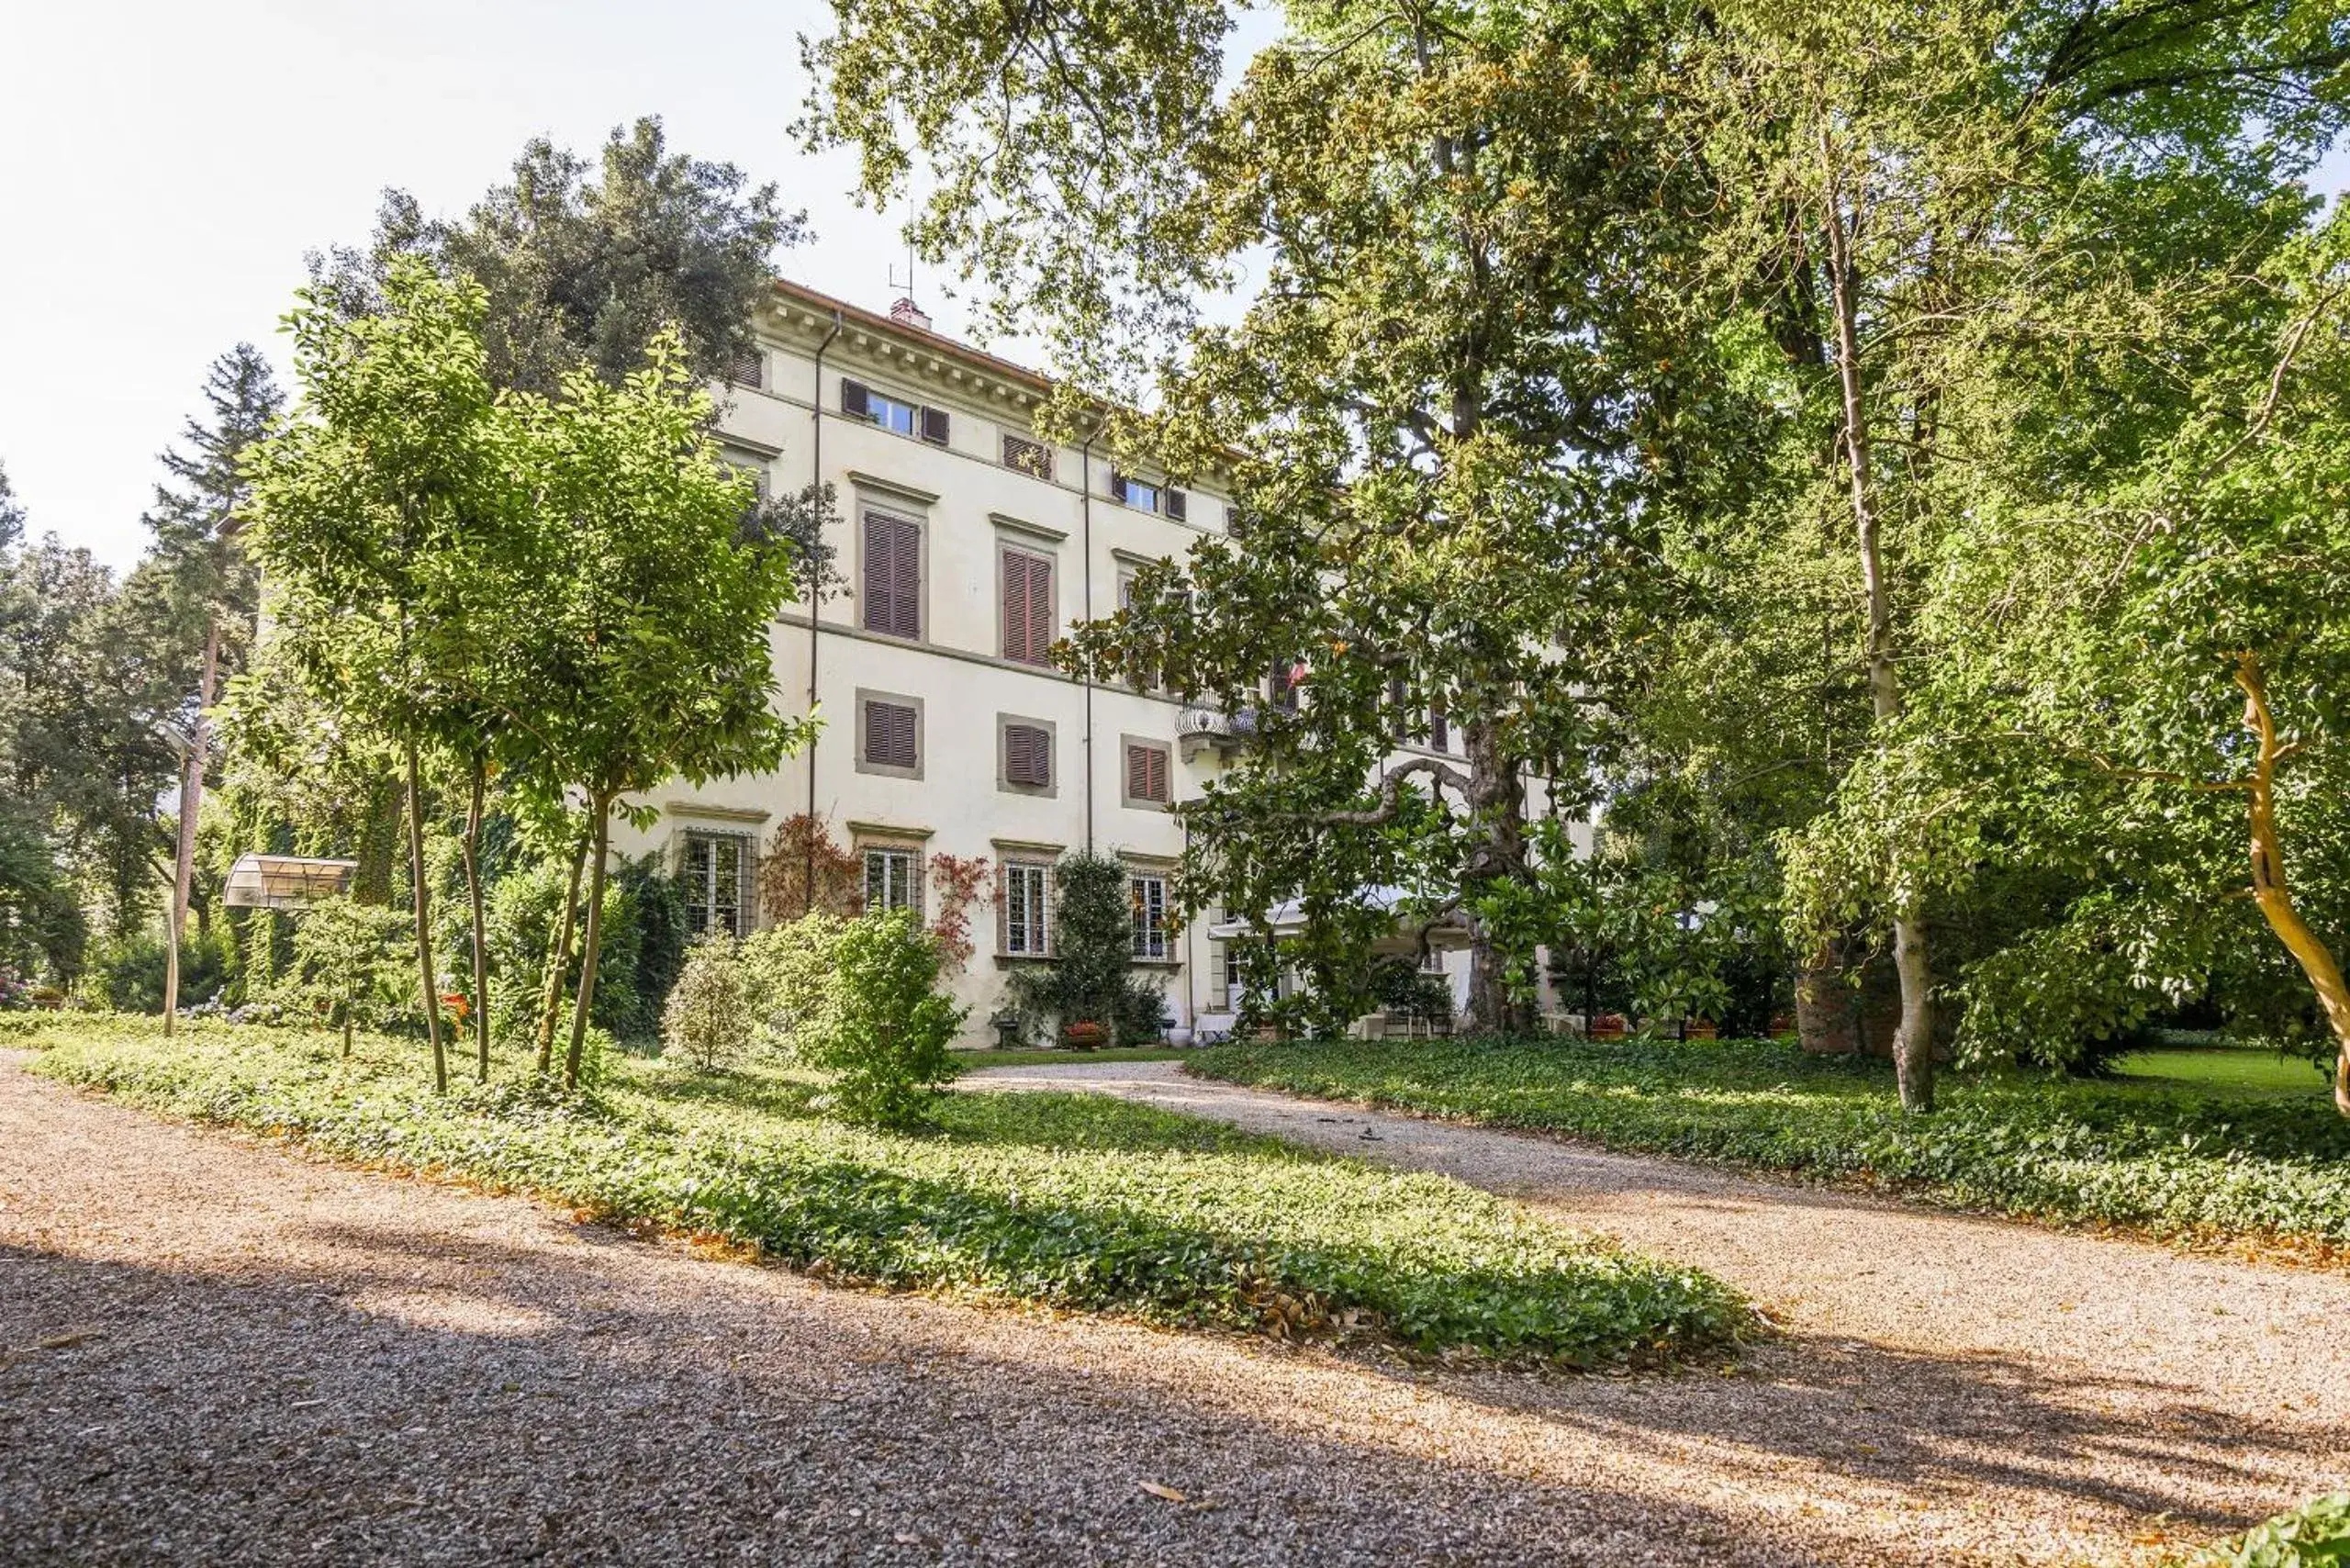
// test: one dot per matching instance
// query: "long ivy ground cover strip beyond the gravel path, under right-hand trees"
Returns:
(2128, 1153)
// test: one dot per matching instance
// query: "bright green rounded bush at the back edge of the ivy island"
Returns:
(878, 1021)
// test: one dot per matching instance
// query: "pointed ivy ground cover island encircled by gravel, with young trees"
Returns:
(1021, 1198)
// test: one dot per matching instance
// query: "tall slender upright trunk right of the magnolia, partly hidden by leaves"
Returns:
(1914, 1045)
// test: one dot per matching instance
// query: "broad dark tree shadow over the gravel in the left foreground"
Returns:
(372, 1395)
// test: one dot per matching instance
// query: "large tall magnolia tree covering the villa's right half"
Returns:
(1453, 398)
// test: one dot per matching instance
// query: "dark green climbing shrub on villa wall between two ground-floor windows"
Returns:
(1089, 977)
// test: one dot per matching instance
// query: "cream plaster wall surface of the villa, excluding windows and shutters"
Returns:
(969, 509)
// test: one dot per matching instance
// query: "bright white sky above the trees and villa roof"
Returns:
(166, 168)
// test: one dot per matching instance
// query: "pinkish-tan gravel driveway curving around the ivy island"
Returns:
(224, 1353)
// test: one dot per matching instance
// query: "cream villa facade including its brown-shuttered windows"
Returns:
(967, 549)
